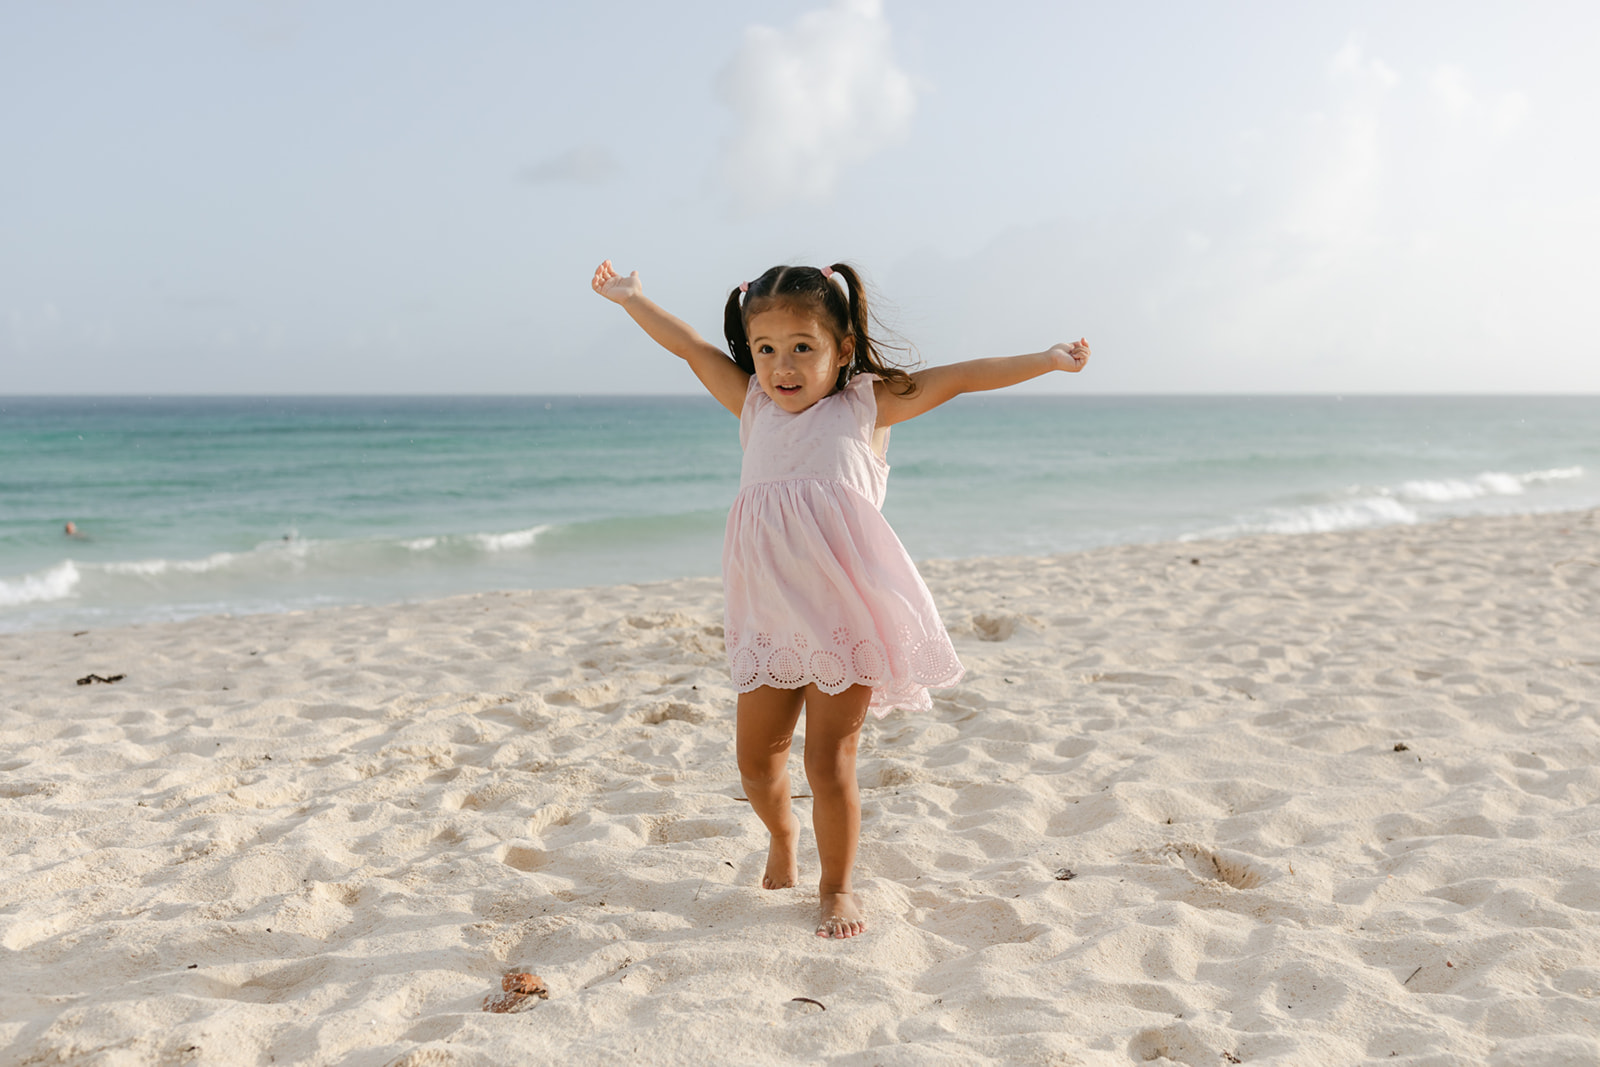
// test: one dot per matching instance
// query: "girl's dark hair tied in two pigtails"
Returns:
(841, 310)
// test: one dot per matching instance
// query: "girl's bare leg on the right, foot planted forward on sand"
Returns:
(833, 732)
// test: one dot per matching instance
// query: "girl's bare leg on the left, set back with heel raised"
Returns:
(766, 729)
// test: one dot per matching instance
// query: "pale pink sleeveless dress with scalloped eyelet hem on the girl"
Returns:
(820, 589)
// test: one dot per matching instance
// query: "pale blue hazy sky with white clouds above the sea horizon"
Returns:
(410, 198)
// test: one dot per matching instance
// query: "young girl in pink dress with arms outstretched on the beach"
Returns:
(825, 609)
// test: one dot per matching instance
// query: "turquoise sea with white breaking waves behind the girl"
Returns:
(196, 506)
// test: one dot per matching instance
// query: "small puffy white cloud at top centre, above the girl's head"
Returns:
(810, 102)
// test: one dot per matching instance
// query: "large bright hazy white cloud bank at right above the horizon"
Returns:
(1372, 242)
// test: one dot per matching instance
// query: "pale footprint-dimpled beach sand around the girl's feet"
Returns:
(324, 837)
